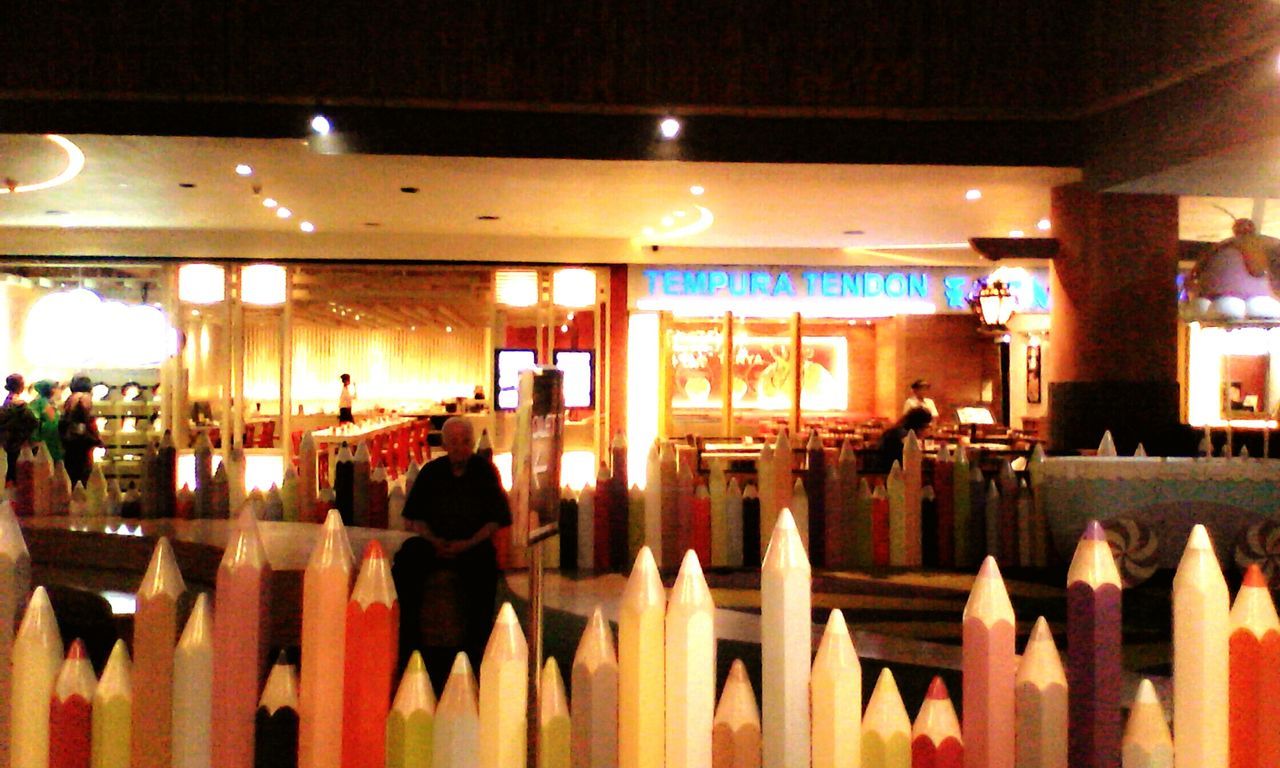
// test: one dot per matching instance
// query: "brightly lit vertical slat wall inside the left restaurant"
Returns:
(391, 368)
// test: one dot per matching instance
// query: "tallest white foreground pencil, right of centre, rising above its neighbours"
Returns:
(785, 642)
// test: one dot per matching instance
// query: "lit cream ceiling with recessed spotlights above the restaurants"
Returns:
(129, 200)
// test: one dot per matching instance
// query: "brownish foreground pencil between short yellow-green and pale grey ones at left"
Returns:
(156, 636)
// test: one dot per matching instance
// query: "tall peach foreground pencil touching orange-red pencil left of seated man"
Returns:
(326, 586)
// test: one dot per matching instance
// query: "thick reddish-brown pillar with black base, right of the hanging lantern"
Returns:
(1114, 359)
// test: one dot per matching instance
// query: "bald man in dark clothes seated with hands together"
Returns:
(455, 508)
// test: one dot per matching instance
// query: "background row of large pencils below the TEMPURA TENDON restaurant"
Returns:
(953, 518)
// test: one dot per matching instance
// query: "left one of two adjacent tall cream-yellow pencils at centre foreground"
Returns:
(642, 668)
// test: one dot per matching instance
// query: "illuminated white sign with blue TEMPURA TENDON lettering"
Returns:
(861, 292)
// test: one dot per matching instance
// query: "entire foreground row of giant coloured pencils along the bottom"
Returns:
(199, 700)
